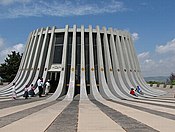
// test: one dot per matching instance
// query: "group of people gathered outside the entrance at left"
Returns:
(43, 88)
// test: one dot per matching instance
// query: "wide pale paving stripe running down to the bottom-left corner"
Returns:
(39, 121)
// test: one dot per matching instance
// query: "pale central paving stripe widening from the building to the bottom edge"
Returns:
(92, 119)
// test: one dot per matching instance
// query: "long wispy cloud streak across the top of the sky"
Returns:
(62, 8)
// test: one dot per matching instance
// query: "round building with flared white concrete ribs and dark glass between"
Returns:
(99, 62)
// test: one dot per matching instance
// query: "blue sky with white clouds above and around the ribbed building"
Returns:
(150, 22)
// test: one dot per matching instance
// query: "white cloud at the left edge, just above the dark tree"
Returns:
(4, 52)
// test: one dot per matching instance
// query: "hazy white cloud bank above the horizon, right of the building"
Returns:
(158, 63)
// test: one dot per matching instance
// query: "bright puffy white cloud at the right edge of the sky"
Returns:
(168, 48)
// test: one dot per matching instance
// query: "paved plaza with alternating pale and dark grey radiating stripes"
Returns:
(39, 115)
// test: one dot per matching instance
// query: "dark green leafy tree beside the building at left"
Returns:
(9, 69)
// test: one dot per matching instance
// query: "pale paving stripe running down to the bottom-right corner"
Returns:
(157, 122)
